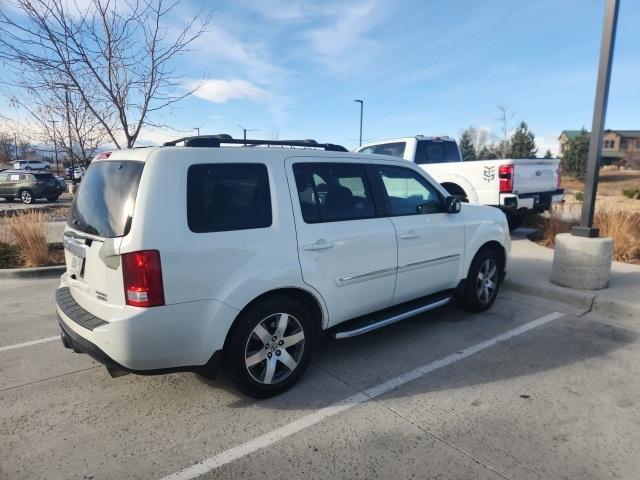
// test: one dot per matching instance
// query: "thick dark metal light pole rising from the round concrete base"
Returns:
(586, 228)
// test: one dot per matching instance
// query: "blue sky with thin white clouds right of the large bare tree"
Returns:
(430, 67)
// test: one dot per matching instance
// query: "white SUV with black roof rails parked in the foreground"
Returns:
(182, 257)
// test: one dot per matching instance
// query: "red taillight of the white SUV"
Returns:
(142, 276)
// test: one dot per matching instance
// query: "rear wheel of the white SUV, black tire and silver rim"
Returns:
(270, 346)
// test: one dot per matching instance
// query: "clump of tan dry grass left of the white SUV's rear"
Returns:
(29, 232)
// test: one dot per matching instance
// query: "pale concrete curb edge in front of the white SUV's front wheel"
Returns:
(586, 301)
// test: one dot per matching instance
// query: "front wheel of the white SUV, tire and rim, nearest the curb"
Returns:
(483, 281)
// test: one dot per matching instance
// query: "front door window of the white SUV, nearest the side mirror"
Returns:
(406, 190)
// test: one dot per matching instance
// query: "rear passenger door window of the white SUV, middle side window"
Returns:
(330, 192)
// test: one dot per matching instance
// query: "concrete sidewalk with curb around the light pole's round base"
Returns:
(530, 270)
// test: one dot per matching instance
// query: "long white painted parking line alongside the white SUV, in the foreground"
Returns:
(273, 436)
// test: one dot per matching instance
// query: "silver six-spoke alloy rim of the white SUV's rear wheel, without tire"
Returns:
(274, 348)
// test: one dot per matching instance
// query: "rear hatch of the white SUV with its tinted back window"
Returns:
(101, 214)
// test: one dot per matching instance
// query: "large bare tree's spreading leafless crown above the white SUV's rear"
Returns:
(116, 56)
